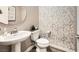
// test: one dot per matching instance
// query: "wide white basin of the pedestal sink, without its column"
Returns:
(14, 38)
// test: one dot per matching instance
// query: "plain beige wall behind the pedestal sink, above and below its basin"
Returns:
(32, 19)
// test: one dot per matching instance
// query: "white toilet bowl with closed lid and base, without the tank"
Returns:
(42, 45)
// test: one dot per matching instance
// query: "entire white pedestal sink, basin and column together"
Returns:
(14, 39)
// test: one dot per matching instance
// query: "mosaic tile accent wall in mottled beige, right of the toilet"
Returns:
(61, 21)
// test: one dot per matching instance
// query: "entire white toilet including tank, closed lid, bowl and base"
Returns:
(41, 43)
